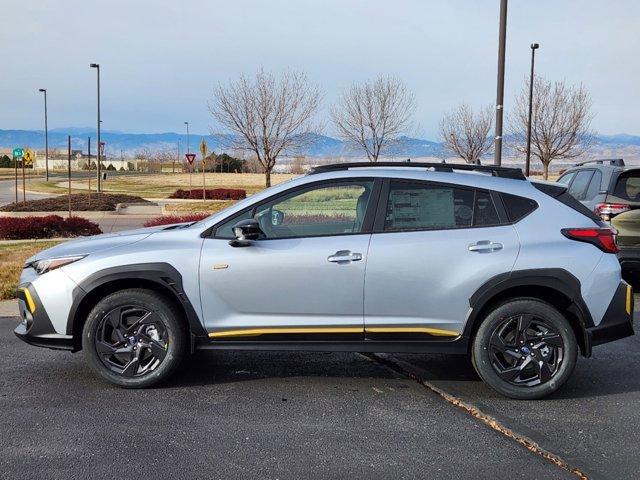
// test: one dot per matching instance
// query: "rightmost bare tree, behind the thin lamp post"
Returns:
(560, 126)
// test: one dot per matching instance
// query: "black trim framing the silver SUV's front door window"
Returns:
(367, 224)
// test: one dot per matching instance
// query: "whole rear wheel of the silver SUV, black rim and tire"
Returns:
(529, 366)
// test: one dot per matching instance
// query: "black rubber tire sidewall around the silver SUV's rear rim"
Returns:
(481, 355)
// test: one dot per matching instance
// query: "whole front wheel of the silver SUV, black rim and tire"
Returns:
(134, 338)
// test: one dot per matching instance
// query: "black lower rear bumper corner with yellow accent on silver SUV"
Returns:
(617, 321)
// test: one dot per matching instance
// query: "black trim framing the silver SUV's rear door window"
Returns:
(378, 226)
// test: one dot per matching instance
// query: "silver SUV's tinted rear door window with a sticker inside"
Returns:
(420, 206)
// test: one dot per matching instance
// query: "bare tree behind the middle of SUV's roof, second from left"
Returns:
(373, 115)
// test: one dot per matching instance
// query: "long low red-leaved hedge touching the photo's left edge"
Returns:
(46, 227)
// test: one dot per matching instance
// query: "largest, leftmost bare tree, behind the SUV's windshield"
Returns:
(267, 116)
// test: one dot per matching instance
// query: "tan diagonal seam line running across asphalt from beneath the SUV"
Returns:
(490, 421)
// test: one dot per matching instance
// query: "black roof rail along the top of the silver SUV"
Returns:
(503, 172)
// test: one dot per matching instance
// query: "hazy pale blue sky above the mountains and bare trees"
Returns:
(160, 59)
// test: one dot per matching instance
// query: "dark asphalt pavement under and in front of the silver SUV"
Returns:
(293, 415)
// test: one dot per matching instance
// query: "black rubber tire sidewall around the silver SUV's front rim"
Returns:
(148, 300)
